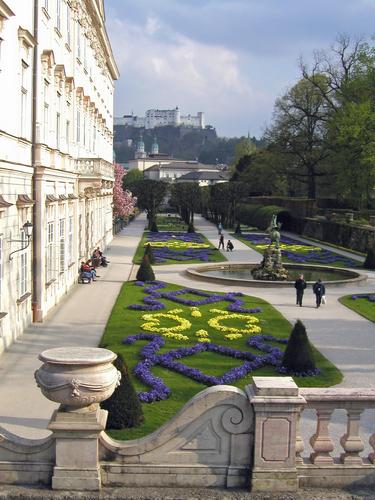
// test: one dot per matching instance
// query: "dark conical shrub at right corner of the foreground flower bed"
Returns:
(298, 356)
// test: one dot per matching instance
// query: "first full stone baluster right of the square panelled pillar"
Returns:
(321, 442)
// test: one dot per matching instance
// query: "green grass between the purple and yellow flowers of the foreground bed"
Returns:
(124, 322)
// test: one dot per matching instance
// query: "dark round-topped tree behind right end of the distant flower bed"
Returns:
(186, 198)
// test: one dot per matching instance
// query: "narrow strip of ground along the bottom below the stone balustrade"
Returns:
(24, 493)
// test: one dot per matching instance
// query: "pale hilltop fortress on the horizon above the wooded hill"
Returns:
(161, 118)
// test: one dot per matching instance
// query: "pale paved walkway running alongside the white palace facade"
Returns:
(78, 321)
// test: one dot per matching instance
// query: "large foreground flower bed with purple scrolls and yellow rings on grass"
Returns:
(177, 341)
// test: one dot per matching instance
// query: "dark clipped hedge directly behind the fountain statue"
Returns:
(260, 216)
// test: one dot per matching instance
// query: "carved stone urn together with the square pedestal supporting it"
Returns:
(78, 378)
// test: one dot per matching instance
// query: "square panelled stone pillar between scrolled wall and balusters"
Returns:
(277, 406)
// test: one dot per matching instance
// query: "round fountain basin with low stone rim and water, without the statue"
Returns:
(239, 274)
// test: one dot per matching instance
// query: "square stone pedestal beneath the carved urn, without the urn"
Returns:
(77, 459)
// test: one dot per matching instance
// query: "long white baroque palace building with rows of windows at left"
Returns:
(57, 75)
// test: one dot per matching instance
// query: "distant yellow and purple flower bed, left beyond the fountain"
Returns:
(176, 246)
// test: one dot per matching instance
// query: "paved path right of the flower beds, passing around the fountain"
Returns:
(343, 336)
